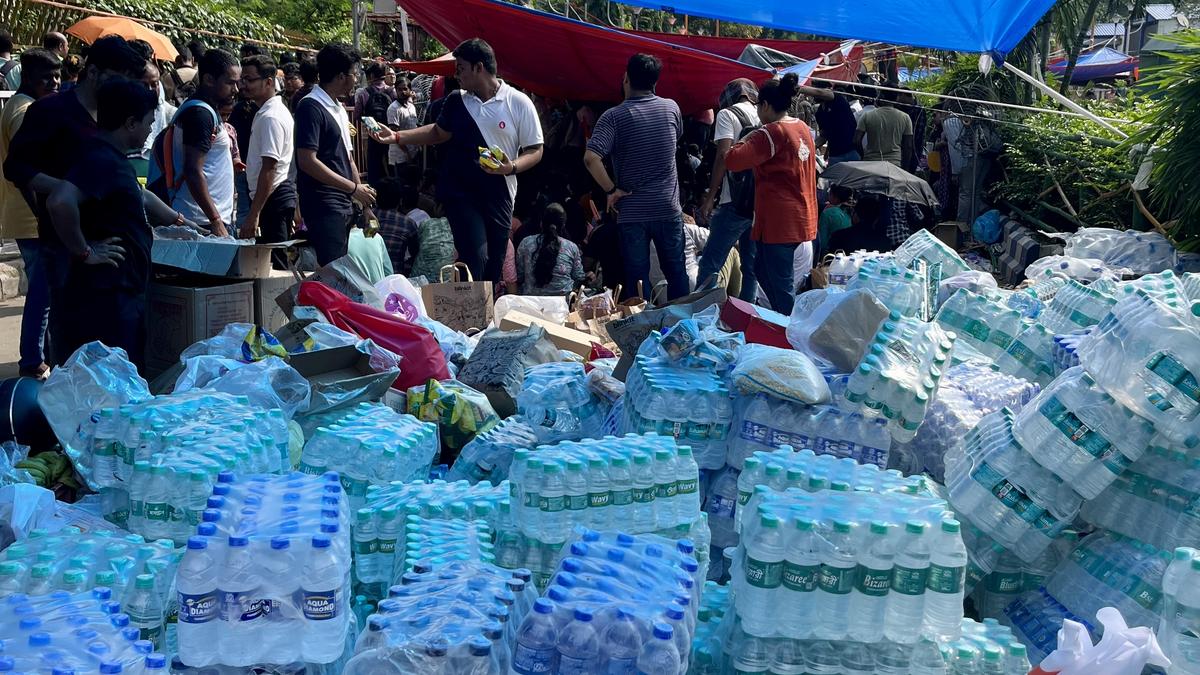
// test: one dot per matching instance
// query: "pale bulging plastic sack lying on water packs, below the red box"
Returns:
(783, 374)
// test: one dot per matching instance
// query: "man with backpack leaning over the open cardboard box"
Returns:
(193, 162)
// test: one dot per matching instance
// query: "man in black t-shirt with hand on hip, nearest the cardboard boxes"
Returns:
(101, 214)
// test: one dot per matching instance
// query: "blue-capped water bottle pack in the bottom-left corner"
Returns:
(82, 634)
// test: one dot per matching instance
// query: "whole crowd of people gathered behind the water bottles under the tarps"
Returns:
(634, 196)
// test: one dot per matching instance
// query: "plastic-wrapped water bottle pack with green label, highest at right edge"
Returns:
(1147, 355)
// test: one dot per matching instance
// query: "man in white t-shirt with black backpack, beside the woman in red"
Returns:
(731, 222)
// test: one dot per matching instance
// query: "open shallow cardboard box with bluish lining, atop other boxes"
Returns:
(217, 258)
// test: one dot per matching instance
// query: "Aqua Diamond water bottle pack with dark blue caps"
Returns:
(267, 577)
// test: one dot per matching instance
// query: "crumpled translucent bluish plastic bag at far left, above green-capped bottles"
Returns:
(94, 378)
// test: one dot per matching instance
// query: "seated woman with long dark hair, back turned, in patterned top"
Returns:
(549, 264)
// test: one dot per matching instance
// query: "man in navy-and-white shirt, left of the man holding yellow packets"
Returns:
(328, 180)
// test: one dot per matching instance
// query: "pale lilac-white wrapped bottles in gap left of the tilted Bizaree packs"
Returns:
(968, 393)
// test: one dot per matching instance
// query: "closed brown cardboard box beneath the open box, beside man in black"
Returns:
(187, 312)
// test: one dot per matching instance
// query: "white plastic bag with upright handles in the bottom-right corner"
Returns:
(1121, 652)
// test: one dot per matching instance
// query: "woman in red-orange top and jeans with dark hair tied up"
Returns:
(783, 157)
